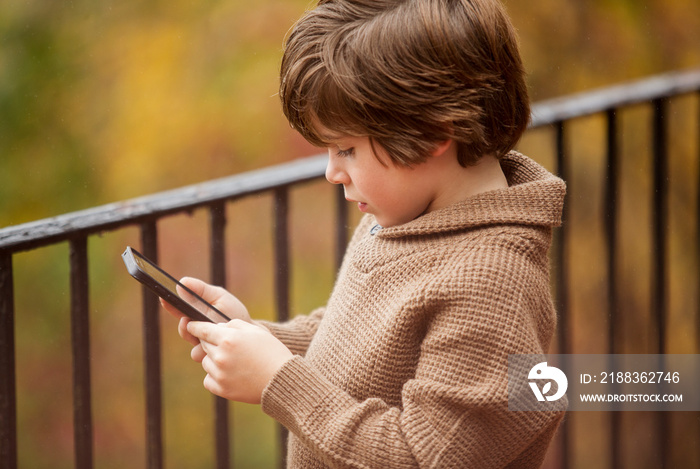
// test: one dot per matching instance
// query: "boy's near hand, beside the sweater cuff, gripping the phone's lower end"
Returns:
(239, 358)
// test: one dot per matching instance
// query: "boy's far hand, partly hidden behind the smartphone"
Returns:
(216, 296)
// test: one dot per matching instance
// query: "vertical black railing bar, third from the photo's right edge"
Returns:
(611, 227)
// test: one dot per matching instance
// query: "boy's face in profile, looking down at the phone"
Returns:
(393, 194)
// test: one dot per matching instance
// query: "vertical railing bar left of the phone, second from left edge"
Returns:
(80, 341)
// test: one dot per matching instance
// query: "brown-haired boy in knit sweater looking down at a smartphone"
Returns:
(419, 103)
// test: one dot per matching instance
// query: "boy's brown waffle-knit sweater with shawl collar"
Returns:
(406, 365)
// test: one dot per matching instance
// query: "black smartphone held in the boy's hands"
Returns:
(164, 285)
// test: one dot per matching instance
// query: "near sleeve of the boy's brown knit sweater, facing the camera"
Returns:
(454, 412)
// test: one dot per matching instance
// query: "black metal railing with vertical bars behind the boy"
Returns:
(214, 196)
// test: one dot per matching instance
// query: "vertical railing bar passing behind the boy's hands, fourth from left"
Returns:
(218, 276)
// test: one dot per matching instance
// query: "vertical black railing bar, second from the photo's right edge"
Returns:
(659, 250)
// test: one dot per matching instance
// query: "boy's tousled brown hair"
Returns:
(408, 74)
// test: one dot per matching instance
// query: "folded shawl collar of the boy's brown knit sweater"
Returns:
(534, 197)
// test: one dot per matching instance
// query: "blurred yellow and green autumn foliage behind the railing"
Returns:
(105, 101)
